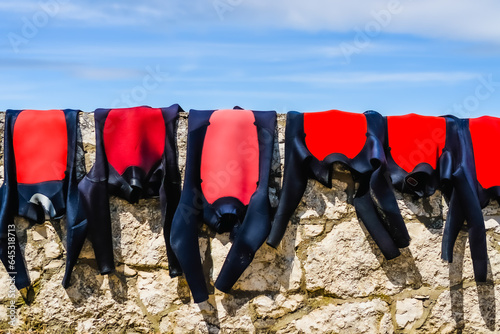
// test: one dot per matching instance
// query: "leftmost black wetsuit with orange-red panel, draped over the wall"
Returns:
(43, 162)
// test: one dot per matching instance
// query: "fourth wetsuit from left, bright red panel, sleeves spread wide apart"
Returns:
(313, 143)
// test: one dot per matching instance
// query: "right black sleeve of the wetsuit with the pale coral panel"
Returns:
(257, 223)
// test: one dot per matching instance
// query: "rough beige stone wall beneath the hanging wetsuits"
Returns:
(326, 277)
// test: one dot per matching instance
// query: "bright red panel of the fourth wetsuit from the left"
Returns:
(335, 131)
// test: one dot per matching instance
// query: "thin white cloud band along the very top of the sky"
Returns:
(475, 20)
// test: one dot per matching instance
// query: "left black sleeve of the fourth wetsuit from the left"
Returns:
(294, 177)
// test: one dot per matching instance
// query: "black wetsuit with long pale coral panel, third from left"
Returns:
(229, 155)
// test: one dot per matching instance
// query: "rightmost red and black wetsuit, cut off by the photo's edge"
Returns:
(475, 181)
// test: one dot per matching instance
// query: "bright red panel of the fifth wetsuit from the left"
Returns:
(416, 139)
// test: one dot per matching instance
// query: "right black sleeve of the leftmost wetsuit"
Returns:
(75, 216)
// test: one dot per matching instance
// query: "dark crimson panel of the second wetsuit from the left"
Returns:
(134, 137)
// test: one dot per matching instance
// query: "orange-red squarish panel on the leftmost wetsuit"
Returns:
(40, 142)
